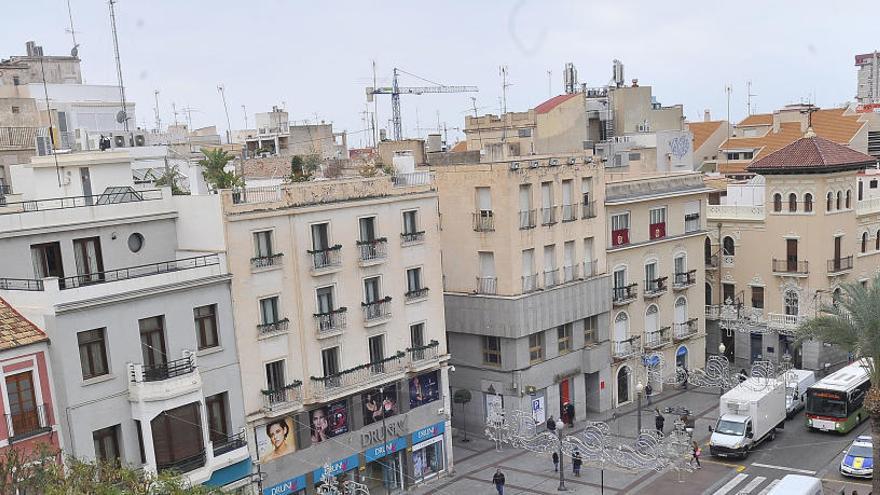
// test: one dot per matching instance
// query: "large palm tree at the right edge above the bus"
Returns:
(852, 321)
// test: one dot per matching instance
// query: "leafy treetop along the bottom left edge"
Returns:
(40, 472)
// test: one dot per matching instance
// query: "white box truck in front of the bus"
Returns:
(749, 414)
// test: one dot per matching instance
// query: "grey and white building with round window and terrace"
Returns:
(143, 349)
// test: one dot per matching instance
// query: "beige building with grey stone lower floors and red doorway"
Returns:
(526, 294)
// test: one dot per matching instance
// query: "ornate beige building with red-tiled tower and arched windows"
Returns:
(812, 212)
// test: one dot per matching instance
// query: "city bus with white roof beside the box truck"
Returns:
(836, 402)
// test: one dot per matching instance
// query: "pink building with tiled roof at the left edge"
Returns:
(26, 391)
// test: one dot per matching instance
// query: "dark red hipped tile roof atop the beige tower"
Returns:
(811, 153)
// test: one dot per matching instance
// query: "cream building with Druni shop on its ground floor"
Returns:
(340, 327)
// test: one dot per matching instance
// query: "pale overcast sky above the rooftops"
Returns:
(315, 58)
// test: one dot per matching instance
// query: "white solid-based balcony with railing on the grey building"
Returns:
(165, 380)
